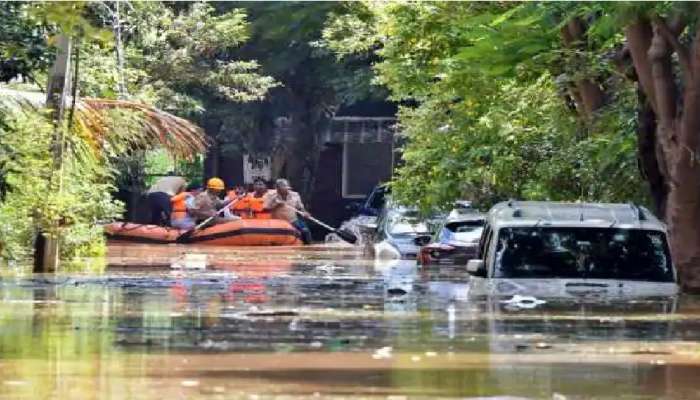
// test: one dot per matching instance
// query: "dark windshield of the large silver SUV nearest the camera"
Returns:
(594, 253)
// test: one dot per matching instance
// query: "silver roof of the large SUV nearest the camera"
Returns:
(543, 213)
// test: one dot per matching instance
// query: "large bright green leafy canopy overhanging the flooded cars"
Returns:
(489, 116)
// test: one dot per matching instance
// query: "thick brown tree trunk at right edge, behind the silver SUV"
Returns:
(676, 136)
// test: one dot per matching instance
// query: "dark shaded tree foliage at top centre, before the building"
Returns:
(313, 82)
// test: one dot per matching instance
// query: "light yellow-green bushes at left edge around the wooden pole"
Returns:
(30, 200)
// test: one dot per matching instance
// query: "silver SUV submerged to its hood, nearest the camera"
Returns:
(550, 249)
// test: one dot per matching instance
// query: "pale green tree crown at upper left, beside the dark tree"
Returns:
(192, 51)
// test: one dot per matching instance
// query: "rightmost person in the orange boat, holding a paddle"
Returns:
(283, 203)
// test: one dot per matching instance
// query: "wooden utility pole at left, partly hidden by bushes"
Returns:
(47, 256)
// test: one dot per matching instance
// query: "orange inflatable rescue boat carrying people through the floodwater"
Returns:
(243, 232)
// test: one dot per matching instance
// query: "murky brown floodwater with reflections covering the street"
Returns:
(323, 322)
